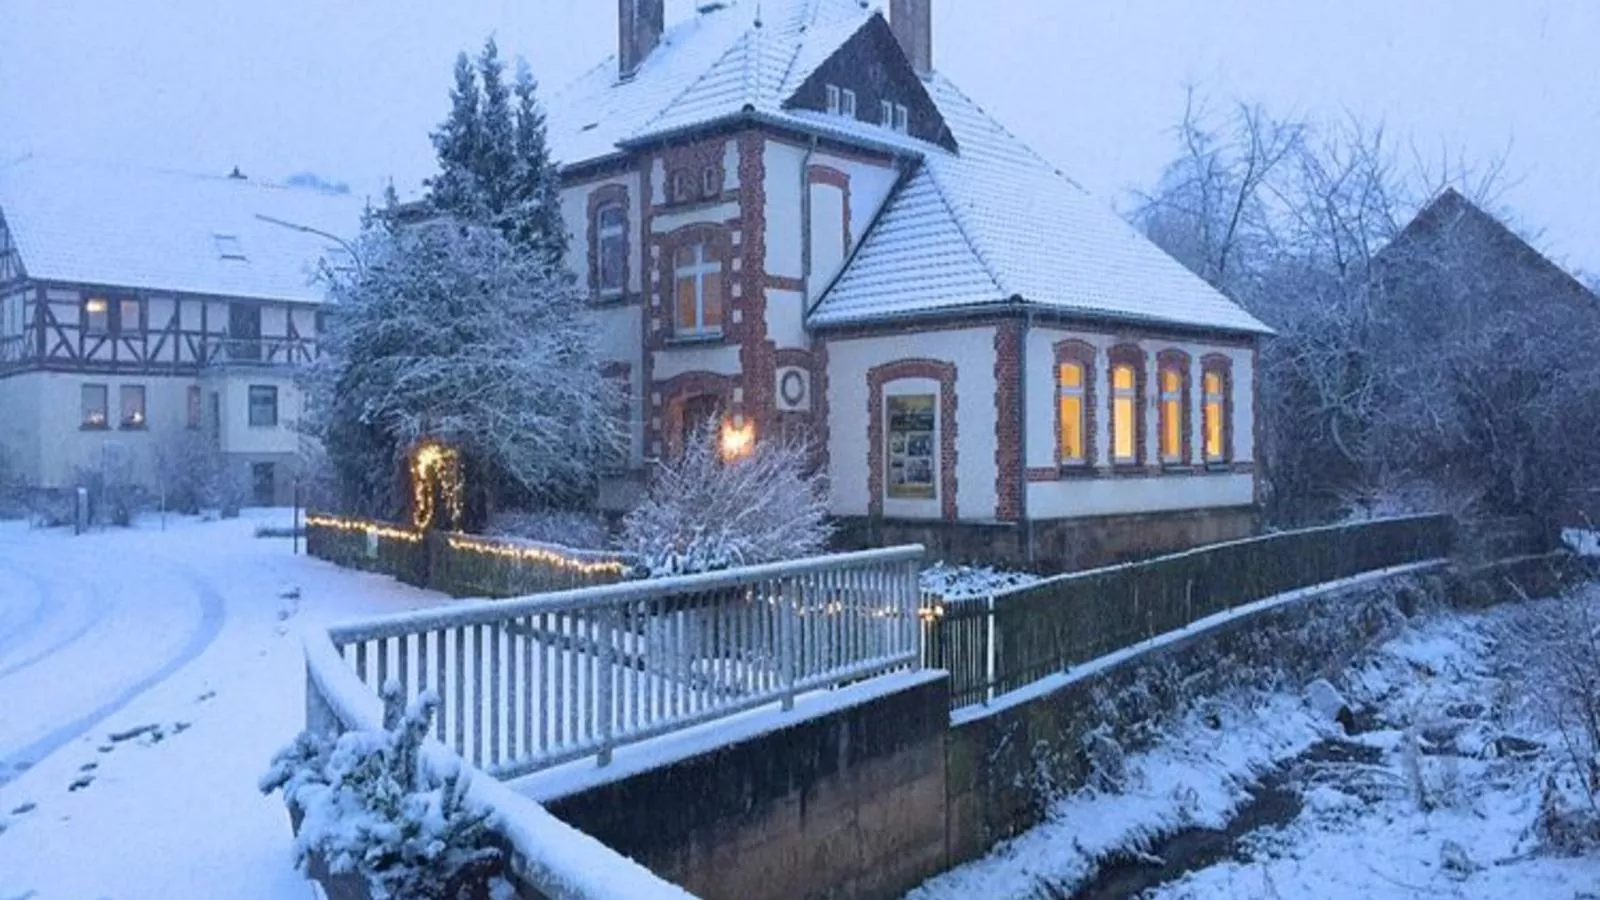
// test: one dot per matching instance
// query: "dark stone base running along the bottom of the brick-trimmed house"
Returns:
(1060, 545)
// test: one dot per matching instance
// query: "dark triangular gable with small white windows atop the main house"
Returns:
(873, 65)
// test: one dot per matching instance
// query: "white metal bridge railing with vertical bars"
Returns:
(534, 683)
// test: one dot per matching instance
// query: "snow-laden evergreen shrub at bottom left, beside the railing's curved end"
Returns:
(370, 805)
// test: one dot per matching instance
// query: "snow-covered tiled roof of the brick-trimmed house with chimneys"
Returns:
(975, 228)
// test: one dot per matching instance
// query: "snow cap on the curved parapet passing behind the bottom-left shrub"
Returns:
(546, 854)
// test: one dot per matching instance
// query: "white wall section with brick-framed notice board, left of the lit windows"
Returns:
(972, 353)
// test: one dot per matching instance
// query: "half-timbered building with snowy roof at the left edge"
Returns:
(138, 305)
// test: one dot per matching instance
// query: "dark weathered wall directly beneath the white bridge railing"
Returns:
(846, 805)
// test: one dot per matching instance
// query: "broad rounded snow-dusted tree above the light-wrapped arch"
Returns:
(454, 334)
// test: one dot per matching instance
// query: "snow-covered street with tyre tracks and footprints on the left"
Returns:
(188, 635)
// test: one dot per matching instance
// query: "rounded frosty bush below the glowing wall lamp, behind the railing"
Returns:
(705, 513)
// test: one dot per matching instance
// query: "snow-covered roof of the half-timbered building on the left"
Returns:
(162, 231)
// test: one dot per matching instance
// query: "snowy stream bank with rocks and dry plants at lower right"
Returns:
(1374, 819)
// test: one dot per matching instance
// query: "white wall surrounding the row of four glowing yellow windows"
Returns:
(1122, 496)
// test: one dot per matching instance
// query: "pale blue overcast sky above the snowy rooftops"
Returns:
(350, 89)
